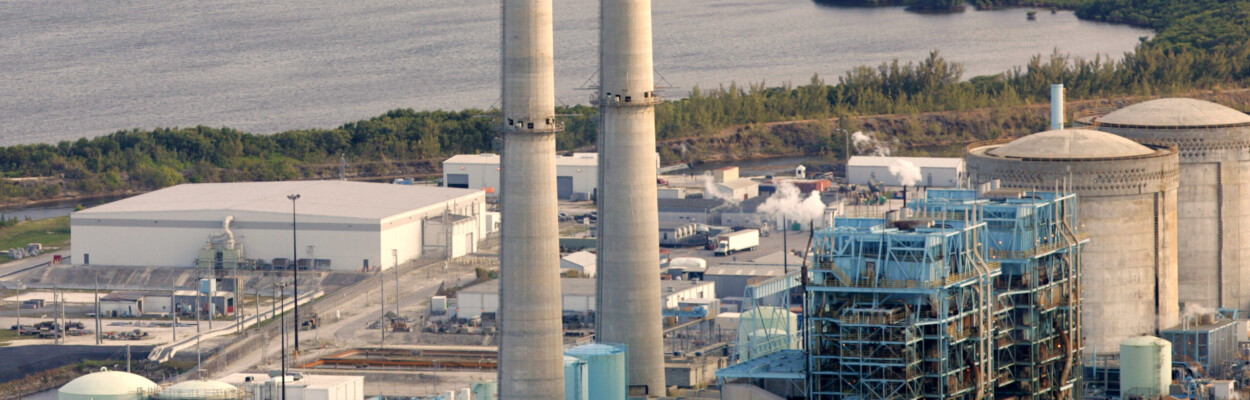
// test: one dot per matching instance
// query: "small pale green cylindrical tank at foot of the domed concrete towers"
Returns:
(1146, 367)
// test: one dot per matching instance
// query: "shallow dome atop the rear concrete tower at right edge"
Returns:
(1176, 113)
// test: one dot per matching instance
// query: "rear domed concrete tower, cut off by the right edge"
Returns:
(1214, 202)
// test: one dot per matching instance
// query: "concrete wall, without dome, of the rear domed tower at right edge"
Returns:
(1214, 219)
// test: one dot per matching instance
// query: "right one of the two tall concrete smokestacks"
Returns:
(629, 227)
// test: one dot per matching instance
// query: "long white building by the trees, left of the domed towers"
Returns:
(928, 172)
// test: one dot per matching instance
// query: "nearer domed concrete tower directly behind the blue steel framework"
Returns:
(1127, 196)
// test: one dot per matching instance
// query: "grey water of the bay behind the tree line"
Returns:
(83, 68)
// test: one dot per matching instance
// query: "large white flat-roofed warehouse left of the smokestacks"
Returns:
(342, 226)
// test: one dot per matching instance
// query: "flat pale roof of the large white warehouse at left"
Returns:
(328, 198)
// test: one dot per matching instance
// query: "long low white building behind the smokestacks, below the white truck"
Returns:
(578, 296)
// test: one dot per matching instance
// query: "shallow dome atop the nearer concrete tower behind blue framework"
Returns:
(1072, 144)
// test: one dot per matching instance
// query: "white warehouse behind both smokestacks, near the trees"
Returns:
(577, 176)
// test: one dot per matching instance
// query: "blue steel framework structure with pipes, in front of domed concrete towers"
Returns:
(962, 298)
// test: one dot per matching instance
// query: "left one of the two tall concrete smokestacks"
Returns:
(532, 354)
